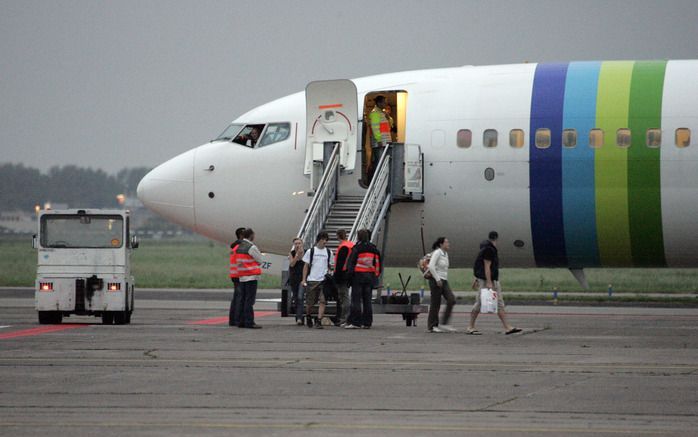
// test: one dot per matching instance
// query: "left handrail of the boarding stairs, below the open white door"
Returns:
(323, 199)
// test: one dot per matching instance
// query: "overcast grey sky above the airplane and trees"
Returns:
(113, 84)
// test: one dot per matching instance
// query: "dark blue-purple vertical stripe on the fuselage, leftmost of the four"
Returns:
(547, 226)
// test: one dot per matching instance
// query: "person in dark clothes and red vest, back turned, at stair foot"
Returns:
(364, 267)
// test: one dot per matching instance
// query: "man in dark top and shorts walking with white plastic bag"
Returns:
(486, 271)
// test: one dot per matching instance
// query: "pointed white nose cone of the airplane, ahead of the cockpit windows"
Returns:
(168, 189)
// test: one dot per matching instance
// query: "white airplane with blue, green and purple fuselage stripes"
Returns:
(575, 165)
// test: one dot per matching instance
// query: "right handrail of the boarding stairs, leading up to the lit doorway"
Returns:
(373, 208)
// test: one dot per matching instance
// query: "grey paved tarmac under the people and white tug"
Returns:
(179, 369)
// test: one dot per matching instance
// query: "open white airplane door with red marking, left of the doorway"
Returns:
(331, 116)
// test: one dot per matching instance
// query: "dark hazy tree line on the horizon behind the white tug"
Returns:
(24, 187)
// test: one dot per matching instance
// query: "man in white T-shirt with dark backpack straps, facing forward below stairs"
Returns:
(317, 267)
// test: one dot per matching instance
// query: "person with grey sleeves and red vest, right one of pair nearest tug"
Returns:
(249, 260)
